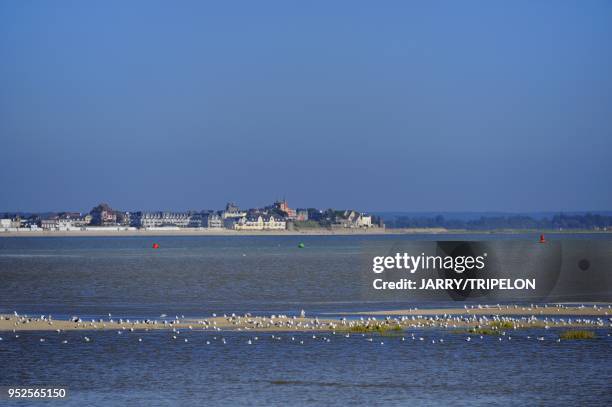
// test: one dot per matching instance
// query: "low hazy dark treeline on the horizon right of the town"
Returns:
(562, 221)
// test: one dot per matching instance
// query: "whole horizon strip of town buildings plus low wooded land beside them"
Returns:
(279, 216)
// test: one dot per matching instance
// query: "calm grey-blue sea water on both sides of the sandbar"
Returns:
(196, 276)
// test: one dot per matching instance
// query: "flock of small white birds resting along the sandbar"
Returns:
(325, 329)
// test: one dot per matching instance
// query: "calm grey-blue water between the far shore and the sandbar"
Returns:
(196, 276)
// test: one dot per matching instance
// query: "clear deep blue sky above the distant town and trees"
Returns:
(417, 106)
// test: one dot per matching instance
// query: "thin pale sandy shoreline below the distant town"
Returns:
(301, 232)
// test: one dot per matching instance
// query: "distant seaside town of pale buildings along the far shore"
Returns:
(277, 216)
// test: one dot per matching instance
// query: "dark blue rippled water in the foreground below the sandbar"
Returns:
(117, 369)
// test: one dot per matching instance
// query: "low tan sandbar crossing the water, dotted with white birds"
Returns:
(510, 317)
